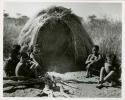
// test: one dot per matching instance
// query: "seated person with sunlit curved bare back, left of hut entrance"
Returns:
(26, 67)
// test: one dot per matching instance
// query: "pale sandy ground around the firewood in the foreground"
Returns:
(86, 87)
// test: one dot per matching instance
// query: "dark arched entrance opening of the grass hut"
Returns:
(56, 46)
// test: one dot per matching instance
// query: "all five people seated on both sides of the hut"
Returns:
(22, 63)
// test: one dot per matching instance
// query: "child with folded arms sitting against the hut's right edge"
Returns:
(92, 61)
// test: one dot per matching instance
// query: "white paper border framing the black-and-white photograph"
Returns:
(39, 98)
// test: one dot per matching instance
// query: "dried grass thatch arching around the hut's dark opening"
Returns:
(81, 40)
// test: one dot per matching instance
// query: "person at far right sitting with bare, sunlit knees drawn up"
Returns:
(108, 72)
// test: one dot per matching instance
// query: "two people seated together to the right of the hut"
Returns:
(109, 70)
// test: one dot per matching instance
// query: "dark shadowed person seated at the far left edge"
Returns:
(11, 62)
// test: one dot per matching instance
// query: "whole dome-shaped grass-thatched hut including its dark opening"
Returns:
(61, 42)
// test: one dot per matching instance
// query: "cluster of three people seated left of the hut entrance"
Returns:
(20, 63)
